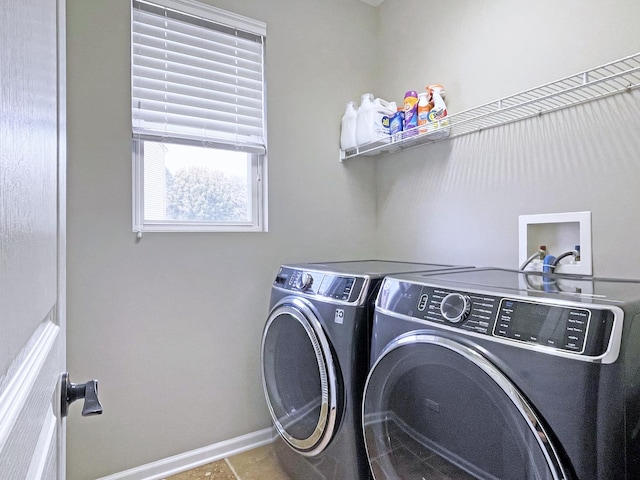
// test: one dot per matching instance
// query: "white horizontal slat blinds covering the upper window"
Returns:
(195, 80)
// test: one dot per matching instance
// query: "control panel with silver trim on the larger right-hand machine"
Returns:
(568, 328)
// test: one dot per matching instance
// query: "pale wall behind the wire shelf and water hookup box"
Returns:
(458, 201)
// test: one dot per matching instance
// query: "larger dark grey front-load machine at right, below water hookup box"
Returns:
(501, 374)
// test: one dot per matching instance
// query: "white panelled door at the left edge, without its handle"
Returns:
(32, 238)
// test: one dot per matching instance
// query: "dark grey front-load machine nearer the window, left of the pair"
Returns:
(315, 357)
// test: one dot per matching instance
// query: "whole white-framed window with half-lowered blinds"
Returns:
(198, 113)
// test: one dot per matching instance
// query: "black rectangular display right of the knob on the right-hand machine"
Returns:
(549, 325)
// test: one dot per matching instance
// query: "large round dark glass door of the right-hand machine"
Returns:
(437, 409)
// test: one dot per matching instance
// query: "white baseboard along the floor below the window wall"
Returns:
(195, 458)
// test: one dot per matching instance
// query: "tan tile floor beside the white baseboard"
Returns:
(256, 464)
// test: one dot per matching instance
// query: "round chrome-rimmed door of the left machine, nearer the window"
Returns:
(299, 376)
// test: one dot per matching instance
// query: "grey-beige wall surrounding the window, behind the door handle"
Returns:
(171, 325)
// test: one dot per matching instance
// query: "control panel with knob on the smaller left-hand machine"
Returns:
(314, 283)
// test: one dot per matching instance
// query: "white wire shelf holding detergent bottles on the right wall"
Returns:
(609, 79)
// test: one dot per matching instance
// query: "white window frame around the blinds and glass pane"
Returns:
(258, 161)
